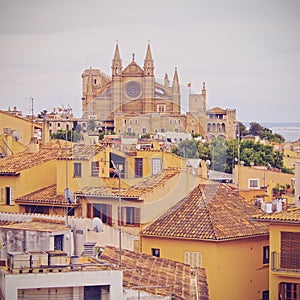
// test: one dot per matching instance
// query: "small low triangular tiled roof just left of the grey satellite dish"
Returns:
(46, 195)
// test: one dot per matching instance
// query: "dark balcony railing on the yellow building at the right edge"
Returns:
(287, 262)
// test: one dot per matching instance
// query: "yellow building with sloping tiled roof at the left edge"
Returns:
(28, 171)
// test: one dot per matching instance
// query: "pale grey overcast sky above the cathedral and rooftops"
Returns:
(247, 52)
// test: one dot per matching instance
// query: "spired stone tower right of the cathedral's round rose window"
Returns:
(148, 82)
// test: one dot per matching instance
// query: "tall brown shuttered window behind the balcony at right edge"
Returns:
(290, 250)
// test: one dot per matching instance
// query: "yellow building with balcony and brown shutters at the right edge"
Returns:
(284, 275)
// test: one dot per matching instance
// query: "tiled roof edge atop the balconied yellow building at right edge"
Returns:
(290, 216)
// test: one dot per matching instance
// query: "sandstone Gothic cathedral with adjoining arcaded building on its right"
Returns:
(131, 101)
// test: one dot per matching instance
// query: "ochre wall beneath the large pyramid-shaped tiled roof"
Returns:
(234, 268)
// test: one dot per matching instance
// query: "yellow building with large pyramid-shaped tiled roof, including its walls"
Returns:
(211, 228)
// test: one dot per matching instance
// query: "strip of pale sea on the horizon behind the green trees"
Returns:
(289, 130)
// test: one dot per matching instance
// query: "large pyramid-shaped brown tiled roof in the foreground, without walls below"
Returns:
(209, 212)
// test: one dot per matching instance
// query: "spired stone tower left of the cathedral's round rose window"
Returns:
(116, 105)
